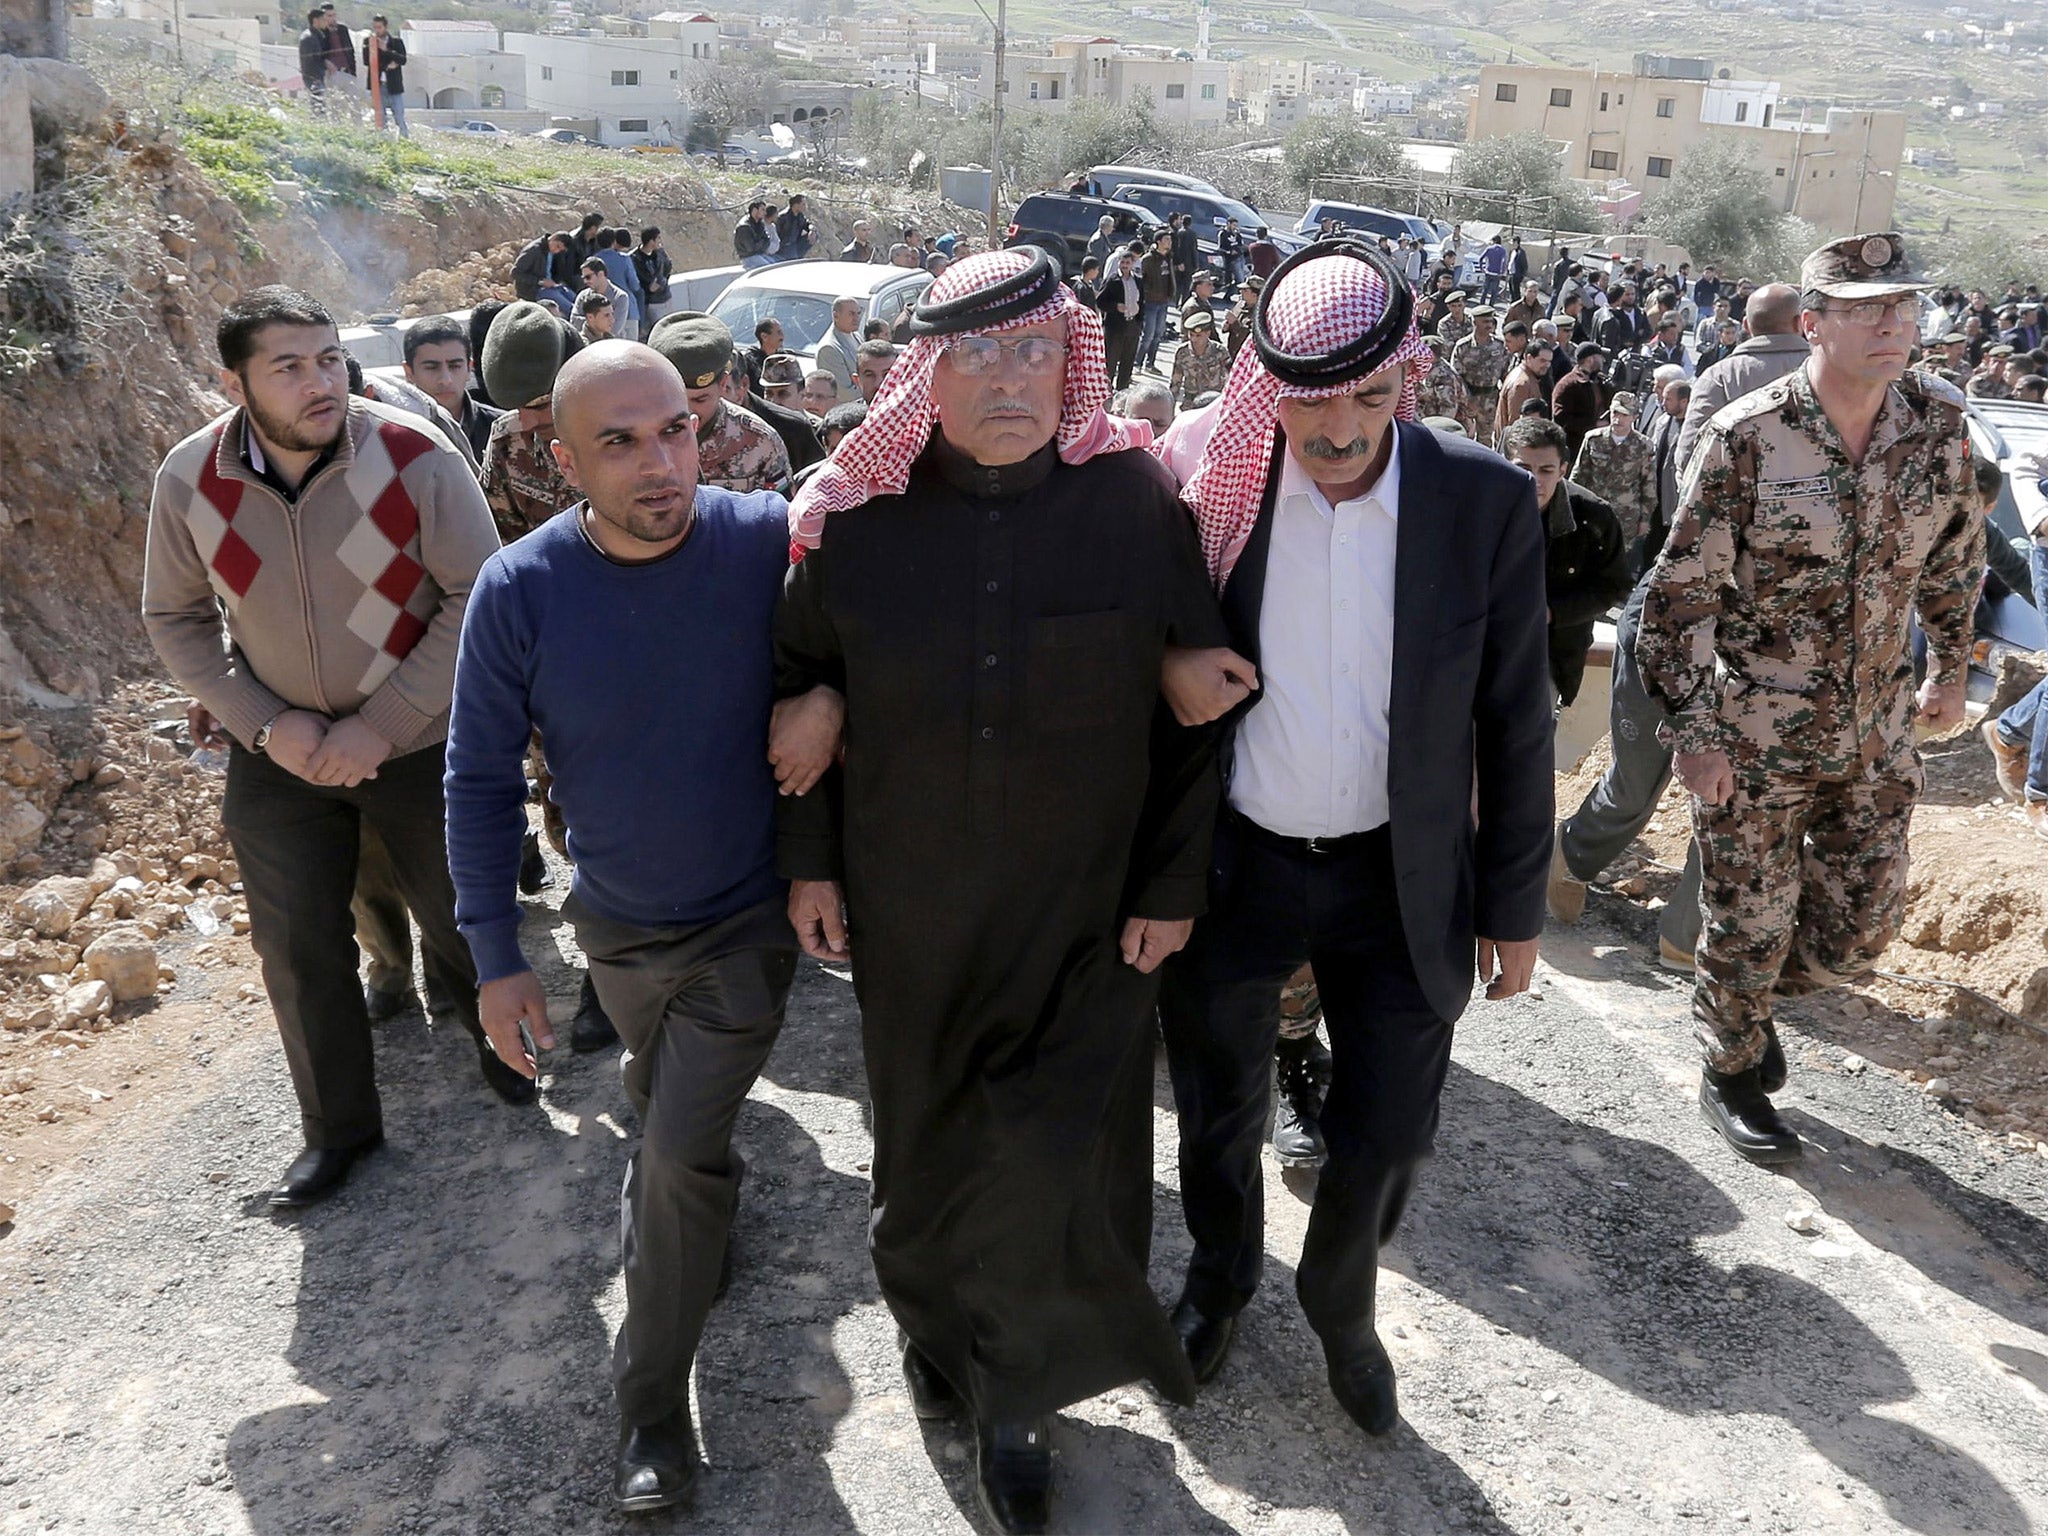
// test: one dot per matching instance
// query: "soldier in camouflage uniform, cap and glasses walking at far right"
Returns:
(1820, 513)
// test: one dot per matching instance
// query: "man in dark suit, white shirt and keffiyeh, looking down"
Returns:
(1390, 589)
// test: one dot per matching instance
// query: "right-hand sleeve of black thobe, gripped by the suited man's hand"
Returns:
(1170, 855)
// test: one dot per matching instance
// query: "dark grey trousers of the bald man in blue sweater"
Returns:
(699, 1011)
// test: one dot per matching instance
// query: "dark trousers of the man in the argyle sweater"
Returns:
(298, 849)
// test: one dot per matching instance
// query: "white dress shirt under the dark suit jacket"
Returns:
(1312, 755)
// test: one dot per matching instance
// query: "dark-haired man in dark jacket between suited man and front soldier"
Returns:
(1586, 558)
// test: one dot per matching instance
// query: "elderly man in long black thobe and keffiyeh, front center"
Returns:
(1021, 835)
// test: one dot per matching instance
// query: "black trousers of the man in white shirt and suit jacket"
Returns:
(1273, 908)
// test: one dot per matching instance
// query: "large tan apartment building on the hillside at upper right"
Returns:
(1836, 167)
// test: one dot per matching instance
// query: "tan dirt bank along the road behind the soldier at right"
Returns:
(1965, 1009)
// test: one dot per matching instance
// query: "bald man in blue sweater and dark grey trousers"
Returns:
(634, 632)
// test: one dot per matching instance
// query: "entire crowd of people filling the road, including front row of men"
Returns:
(1056, 695)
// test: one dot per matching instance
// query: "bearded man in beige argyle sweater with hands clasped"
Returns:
(310, 556)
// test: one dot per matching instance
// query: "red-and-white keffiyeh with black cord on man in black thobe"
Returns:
(878, 456)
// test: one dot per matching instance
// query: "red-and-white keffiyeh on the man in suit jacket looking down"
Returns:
(1314, 306)
